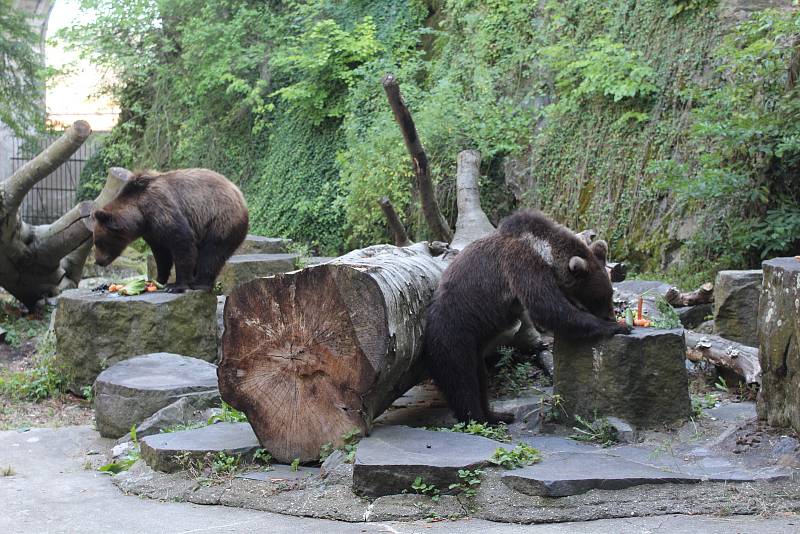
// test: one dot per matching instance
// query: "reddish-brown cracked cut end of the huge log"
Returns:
(293, 361)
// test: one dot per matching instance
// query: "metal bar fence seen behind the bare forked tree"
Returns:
(56, 194)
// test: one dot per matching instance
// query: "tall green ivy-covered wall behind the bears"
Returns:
(661, 123)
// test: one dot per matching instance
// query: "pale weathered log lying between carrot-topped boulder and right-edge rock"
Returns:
(721, 352)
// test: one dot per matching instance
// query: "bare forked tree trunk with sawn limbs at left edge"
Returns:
(40, 261)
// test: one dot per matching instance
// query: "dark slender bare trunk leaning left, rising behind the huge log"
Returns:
(440, 230)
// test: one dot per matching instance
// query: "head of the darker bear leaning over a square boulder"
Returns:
(593, 289)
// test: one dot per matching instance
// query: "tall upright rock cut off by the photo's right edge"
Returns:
(779, 350)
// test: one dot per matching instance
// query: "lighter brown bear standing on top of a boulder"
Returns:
(194, 218)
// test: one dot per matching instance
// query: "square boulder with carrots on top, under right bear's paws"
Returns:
(640, 377)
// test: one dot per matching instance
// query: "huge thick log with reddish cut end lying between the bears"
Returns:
(310, 355)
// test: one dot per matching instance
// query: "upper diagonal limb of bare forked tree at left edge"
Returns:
(21, 182)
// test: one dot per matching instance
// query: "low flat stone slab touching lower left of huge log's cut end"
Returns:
(159, 451)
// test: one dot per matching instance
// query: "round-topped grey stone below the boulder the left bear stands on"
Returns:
(131, 391)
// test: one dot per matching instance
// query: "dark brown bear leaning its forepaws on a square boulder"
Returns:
(530, 264)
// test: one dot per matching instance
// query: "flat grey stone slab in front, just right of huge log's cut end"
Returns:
(388, 461)
